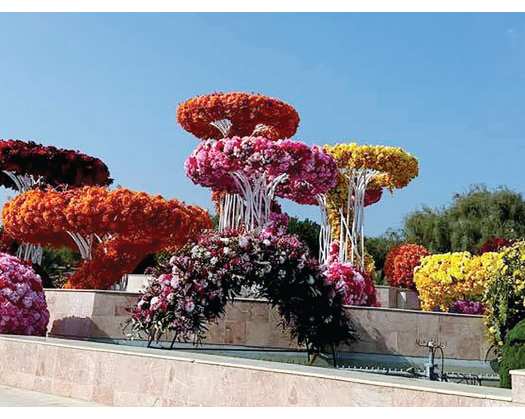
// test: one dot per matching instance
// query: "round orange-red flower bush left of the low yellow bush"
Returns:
(400, 263)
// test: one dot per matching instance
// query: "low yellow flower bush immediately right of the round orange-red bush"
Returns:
(445, 278)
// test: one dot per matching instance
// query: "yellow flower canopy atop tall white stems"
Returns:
(396, 167)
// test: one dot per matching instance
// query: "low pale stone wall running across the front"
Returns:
(140, 377)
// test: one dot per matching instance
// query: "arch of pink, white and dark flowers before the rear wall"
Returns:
(195, 286)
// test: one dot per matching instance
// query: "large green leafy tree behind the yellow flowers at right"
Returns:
(471, 219)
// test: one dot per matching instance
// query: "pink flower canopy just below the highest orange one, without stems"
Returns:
(310, 170)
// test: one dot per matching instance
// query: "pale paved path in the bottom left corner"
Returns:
(10, 397)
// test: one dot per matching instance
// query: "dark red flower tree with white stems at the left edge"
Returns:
(26, 164)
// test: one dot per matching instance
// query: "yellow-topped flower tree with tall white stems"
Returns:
(364, 167)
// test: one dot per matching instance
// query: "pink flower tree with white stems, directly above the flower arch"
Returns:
(255, 170)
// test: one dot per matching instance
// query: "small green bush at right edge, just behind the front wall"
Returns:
(512, 354)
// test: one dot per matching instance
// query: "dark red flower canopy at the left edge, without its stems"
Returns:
(56, 166)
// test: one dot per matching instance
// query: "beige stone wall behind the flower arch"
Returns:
(83, 314)
